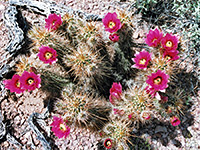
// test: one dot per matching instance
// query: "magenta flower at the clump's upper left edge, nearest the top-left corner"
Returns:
(53, 22)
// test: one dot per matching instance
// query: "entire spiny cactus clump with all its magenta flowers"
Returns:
(89, 66)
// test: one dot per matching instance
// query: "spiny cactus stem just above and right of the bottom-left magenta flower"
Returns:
(83, 110)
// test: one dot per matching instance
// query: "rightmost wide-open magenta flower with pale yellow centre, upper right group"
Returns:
(169, 42)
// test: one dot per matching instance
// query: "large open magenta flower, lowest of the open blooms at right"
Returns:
(158, 80)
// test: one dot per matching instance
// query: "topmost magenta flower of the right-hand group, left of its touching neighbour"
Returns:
(153, 38)
